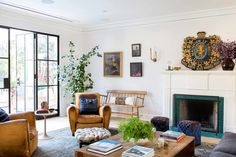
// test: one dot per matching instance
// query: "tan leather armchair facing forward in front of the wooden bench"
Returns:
(77, 120)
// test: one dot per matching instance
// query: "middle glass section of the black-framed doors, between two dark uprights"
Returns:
(22, 70)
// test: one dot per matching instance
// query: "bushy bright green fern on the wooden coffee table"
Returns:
(136, 130)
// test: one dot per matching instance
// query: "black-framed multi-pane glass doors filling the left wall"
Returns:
(28, 70)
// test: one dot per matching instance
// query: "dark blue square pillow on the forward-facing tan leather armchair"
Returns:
(88, 106)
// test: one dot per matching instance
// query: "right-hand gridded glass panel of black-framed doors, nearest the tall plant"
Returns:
(47, 62)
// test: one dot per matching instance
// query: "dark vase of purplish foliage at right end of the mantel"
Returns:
(227, 52)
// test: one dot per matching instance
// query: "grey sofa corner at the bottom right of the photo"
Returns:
(227, 144)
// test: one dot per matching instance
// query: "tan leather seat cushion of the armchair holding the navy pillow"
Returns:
(89, 119)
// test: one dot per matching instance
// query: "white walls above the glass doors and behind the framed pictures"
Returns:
(166, 38)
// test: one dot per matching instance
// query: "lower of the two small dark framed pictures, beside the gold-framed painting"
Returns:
(136, 69)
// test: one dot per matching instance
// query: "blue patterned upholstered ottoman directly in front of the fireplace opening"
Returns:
(191, 128)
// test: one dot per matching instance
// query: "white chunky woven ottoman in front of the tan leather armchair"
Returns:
(86, 136)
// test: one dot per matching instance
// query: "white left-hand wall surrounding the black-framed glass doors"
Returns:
(66, 32)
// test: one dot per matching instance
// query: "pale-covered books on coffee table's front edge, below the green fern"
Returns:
(138, 151)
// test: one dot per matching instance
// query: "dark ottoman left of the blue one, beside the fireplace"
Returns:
(160, 123)
